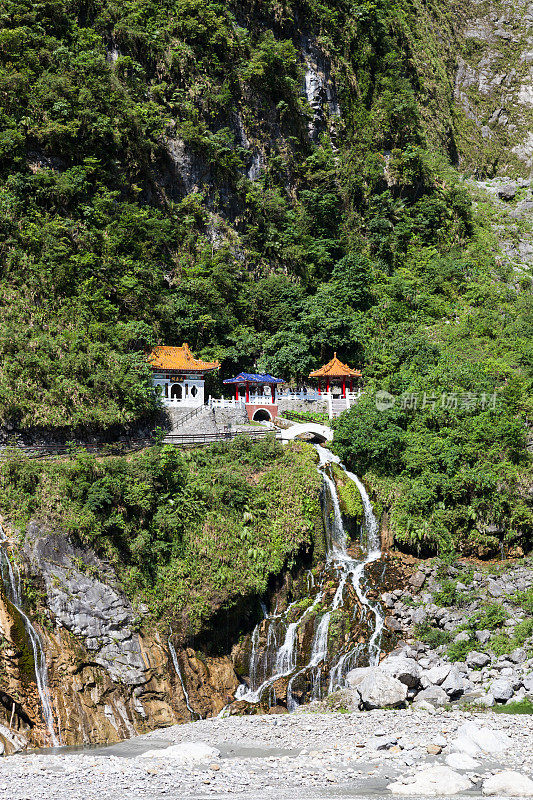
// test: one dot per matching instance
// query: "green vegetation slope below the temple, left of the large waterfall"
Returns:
(187, 533)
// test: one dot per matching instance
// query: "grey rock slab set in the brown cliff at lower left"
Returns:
(86, 605)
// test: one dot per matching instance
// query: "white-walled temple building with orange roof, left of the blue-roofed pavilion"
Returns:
(178, 376)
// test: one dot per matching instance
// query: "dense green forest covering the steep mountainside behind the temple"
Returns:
(168, 175)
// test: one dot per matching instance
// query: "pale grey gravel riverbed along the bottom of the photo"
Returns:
(302, 755)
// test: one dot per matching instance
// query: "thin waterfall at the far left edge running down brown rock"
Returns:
(12, 588)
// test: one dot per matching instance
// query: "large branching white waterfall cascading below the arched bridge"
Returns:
(320, 668)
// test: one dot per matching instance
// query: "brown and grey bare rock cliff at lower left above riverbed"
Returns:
(111, 673)
